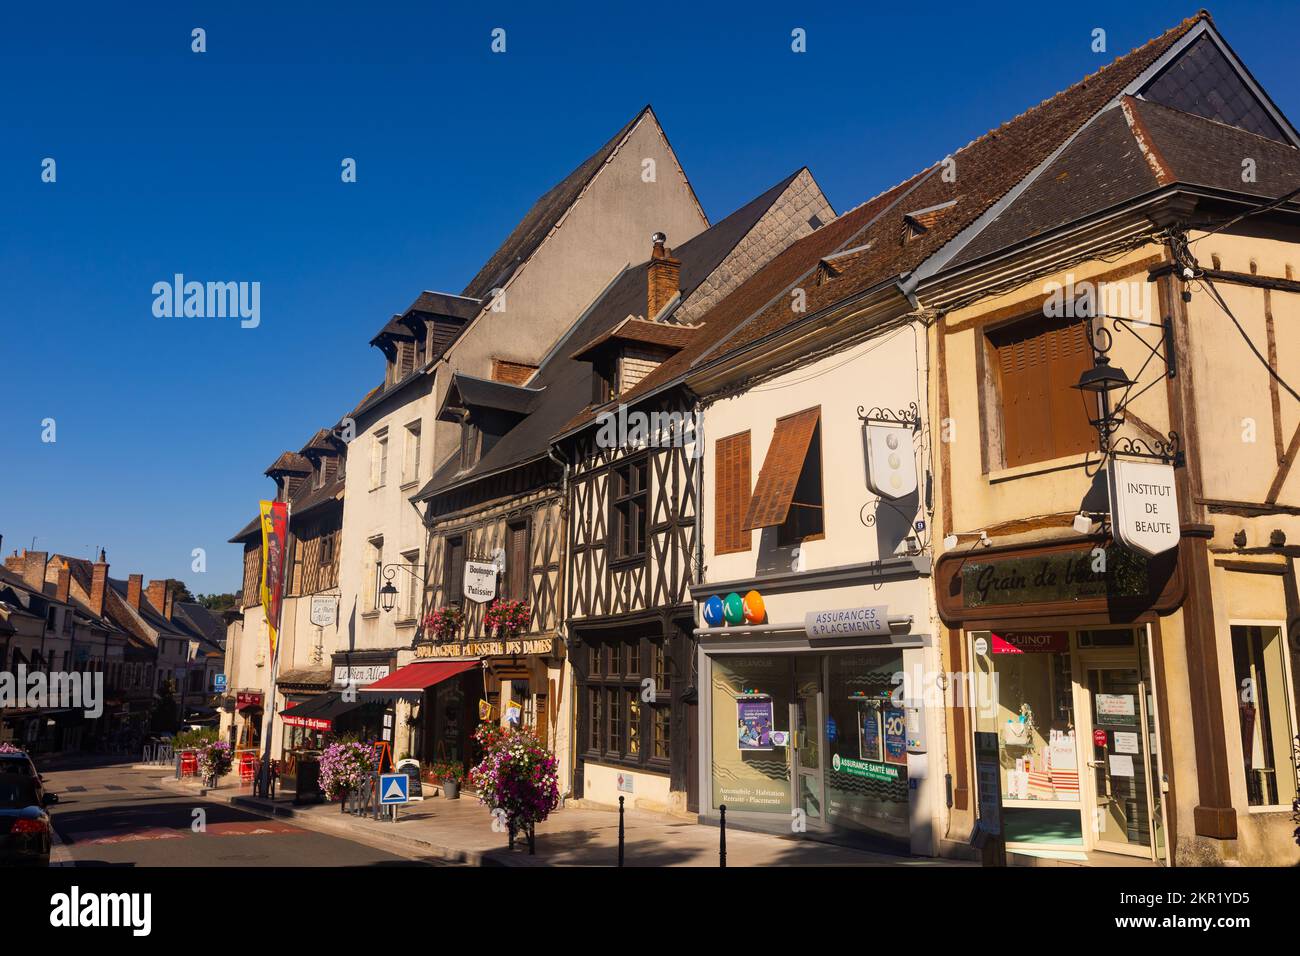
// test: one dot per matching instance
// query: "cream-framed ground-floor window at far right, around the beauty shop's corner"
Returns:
(1259, 659)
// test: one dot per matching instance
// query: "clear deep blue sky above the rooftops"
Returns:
(226, 166)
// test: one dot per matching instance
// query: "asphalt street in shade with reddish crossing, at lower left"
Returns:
(110, 815)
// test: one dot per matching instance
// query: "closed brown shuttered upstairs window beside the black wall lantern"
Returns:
(1041, 416)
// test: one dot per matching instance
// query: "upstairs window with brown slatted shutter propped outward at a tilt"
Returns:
(788, 494)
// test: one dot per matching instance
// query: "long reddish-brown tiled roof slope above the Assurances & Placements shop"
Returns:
(986, 171)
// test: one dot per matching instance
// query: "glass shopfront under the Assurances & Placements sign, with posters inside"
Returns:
(816, 737)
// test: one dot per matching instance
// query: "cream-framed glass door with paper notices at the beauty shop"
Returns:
(1120, 781)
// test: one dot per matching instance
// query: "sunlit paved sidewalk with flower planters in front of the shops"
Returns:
(461, 832)
